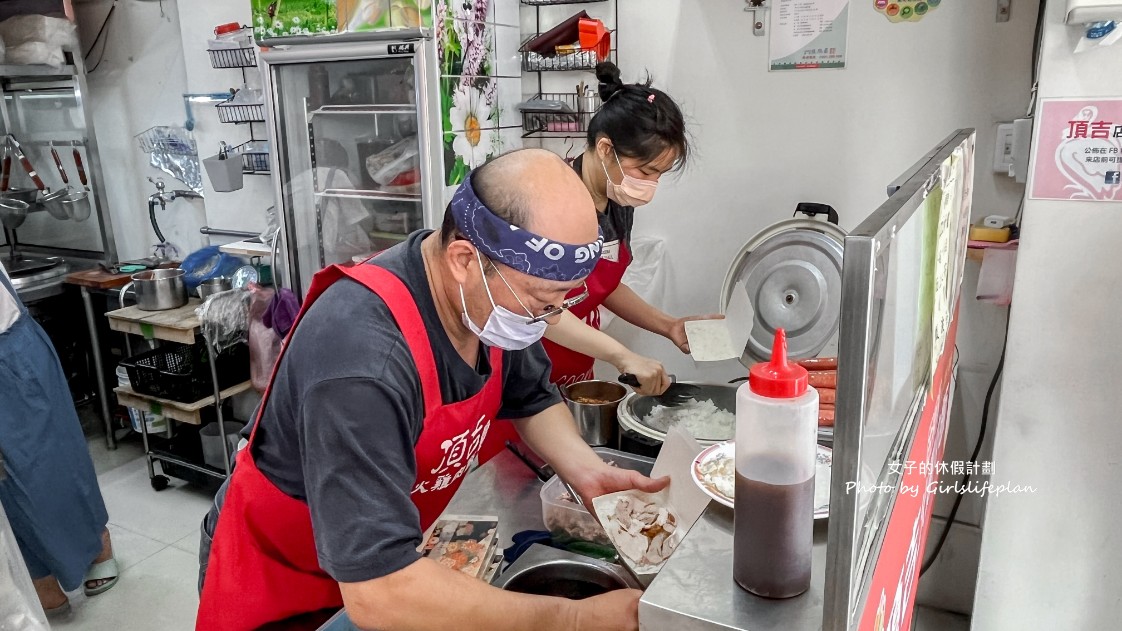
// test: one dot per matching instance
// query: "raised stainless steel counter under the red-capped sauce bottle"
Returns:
(695, 591)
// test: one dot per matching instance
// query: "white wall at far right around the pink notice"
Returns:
(1050, 560)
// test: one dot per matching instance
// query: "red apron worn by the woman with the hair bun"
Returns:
(571, 367)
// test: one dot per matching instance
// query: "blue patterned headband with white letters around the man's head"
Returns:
(519, 249)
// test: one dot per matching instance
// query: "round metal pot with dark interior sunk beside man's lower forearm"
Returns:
(549, 572)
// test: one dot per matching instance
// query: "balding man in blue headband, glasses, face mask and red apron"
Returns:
(397, 378)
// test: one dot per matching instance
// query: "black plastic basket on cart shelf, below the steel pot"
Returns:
(182, 372)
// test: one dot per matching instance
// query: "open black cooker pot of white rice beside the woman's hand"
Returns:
(711, 418)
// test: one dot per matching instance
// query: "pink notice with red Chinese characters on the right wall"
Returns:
(1079, 151)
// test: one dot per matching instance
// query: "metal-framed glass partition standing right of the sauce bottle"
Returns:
(902, 275)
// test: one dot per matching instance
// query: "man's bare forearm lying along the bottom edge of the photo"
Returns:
(429, 597)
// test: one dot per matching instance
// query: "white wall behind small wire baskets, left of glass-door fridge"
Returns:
(151, 61)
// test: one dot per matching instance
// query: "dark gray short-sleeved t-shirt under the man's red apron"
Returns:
(346, 411)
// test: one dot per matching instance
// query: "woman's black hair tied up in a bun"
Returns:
(641, 122)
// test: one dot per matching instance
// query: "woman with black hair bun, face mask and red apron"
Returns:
(637, 136)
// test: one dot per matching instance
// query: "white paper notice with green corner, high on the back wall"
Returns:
(808, 34)
